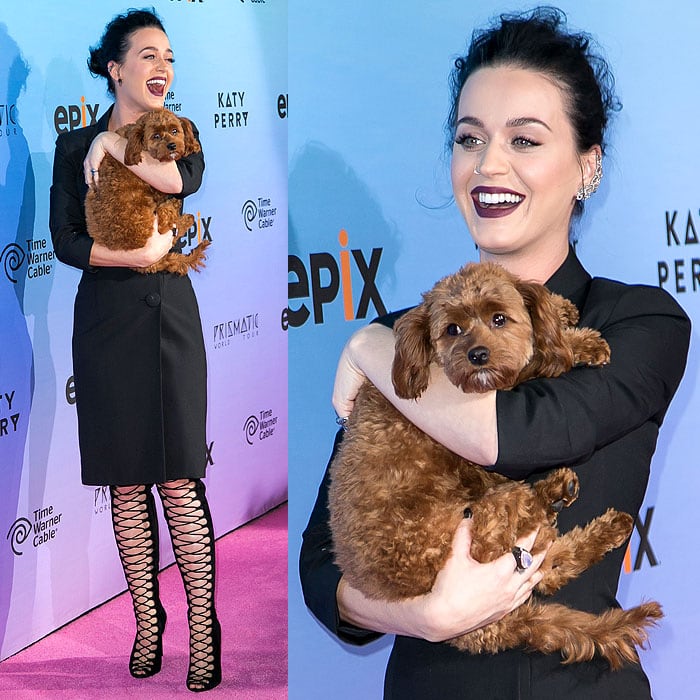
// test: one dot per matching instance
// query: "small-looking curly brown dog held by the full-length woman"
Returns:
(120, 210)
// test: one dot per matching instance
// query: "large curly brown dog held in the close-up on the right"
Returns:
(397, 496)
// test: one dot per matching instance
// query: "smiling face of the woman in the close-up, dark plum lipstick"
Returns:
(513, 129)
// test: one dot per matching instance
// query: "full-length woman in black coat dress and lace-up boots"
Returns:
(139, 359)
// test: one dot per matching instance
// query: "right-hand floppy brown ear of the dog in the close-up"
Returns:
(552, 354)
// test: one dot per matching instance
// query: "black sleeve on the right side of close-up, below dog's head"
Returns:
(549, 422)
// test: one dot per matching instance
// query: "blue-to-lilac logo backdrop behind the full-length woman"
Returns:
(57, 554)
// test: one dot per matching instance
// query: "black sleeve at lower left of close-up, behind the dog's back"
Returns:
(318, 572)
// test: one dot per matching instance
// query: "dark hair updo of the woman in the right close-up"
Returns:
(538, 40)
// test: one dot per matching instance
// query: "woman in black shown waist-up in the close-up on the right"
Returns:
(530, 106)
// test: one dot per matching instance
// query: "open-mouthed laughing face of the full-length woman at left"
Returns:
(146, 72)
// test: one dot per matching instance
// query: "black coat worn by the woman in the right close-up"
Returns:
(604, 423)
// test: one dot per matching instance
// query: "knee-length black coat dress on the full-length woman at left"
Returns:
(138, 352)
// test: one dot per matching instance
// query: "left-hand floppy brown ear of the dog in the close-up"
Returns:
(410, 371)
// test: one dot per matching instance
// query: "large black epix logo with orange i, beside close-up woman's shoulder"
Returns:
(326, 277)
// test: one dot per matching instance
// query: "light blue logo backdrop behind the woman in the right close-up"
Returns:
(371, 225)
